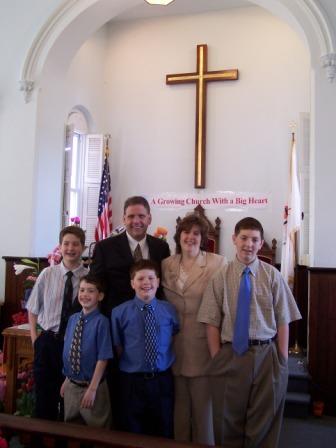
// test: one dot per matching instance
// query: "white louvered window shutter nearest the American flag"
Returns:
(94, 157)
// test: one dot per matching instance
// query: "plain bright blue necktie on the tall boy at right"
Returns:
(241, 327)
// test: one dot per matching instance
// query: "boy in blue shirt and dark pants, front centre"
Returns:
(143, 330)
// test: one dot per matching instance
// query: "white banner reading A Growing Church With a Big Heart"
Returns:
(228, 200)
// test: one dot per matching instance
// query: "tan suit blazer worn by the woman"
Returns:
(190, 344)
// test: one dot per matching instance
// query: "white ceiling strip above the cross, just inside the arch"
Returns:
(180, 7)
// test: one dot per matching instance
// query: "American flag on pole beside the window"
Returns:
(104, 220)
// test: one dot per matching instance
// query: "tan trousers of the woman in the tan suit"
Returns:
(193, 410)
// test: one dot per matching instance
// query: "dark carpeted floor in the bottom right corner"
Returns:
(308, 433)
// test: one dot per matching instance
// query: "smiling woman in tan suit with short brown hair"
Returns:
(184, 278)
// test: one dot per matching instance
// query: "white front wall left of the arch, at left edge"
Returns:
(17, 127)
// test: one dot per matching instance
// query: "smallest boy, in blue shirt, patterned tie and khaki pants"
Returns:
(87, 348)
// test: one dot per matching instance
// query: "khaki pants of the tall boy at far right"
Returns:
(248, 395)
